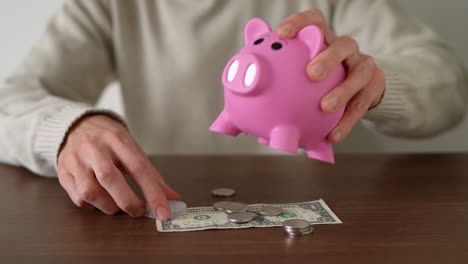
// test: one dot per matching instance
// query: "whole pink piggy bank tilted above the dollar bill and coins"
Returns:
(268, 94)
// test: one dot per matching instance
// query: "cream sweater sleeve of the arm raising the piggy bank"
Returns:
(426, 87)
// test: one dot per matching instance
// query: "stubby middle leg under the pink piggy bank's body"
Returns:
(285, 138)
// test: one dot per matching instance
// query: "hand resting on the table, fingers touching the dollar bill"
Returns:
(96, 153)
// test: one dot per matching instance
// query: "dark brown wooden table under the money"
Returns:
(395, 209)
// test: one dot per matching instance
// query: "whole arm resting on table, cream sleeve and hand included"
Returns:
(46, 116)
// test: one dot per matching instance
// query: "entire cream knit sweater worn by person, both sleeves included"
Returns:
(169, 54)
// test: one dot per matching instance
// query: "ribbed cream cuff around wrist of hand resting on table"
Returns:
(53, 129)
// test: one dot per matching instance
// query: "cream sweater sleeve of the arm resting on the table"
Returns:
(58, 82)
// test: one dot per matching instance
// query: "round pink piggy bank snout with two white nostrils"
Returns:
(243, 73)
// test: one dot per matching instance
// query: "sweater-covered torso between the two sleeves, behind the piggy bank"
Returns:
(170, 55)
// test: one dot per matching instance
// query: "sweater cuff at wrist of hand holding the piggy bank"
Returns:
(392, 105)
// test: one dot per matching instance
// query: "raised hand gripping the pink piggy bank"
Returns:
(365, 83)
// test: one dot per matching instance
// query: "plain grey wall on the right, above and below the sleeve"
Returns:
(449, 18)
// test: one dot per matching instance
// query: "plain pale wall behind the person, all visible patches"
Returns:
(22, 22)
